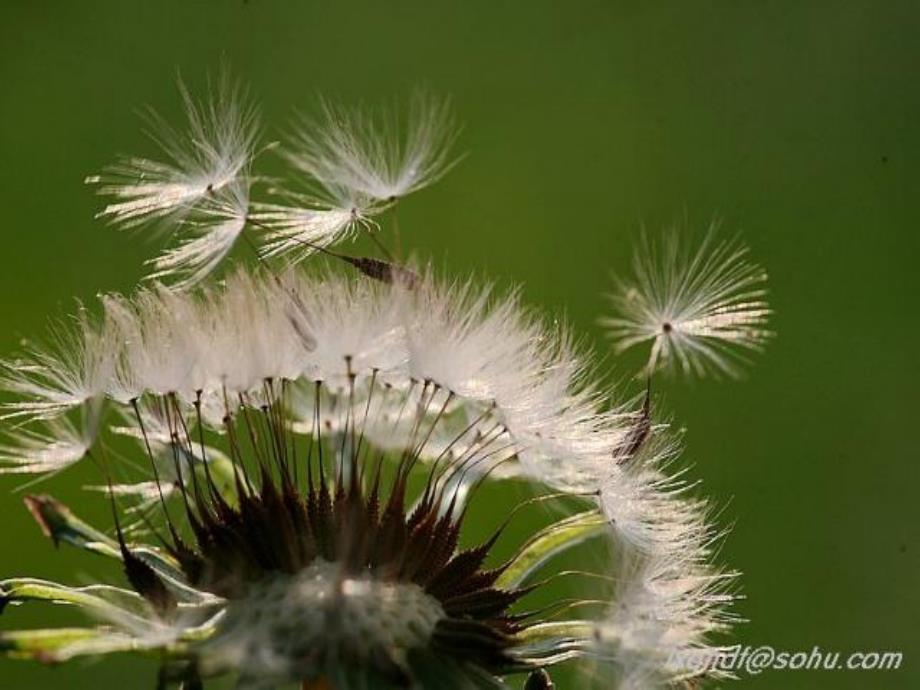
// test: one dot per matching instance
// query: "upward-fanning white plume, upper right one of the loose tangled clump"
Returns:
(376, 154)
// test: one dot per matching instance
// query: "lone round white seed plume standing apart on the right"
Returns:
(701, 311)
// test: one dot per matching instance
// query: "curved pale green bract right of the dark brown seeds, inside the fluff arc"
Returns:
(550, 542)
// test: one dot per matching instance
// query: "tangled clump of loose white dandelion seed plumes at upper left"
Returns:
(356, 164)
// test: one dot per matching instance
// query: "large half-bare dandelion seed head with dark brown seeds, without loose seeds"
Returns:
(229, 387)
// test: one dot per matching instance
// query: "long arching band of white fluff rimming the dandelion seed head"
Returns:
(483, 363)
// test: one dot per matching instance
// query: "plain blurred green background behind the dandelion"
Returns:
(796, 123)
